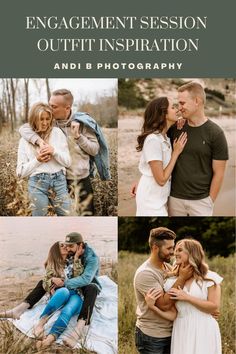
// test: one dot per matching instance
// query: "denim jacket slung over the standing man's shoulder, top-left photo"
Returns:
(101, 160)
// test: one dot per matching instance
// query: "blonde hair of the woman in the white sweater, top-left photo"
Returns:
(34, 115)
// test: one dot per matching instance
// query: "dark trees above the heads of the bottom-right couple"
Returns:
(217, 235)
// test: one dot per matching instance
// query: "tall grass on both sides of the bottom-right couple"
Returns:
(129, 262)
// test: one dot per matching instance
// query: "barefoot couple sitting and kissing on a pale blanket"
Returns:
(71, 281)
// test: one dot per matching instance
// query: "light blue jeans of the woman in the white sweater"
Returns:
(49, 188)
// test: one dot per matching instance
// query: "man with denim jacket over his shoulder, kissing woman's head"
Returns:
(86, 144)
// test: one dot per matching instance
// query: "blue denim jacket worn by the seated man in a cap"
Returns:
(91, 269)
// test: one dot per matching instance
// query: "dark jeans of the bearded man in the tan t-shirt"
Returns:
(151, 345)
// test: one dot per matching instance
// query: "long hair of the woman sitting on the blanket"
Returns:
(54, 260)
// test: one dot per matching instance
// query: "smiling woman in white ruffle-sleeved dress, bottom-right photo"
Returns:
(195, 330)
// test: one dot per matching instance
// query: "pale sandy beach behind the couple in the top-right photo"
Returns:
(128, 159)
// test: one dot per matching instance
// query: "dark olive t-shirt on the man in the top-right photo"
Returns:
(192, 175)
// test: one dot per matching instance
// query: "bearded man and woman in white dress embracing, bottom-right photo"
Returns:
(177, 307)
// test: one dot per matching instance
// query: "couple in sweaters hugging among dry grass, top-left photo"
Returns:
(57, 152)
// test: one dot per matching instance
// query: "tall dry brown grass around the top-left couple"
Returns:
(14, 196)
